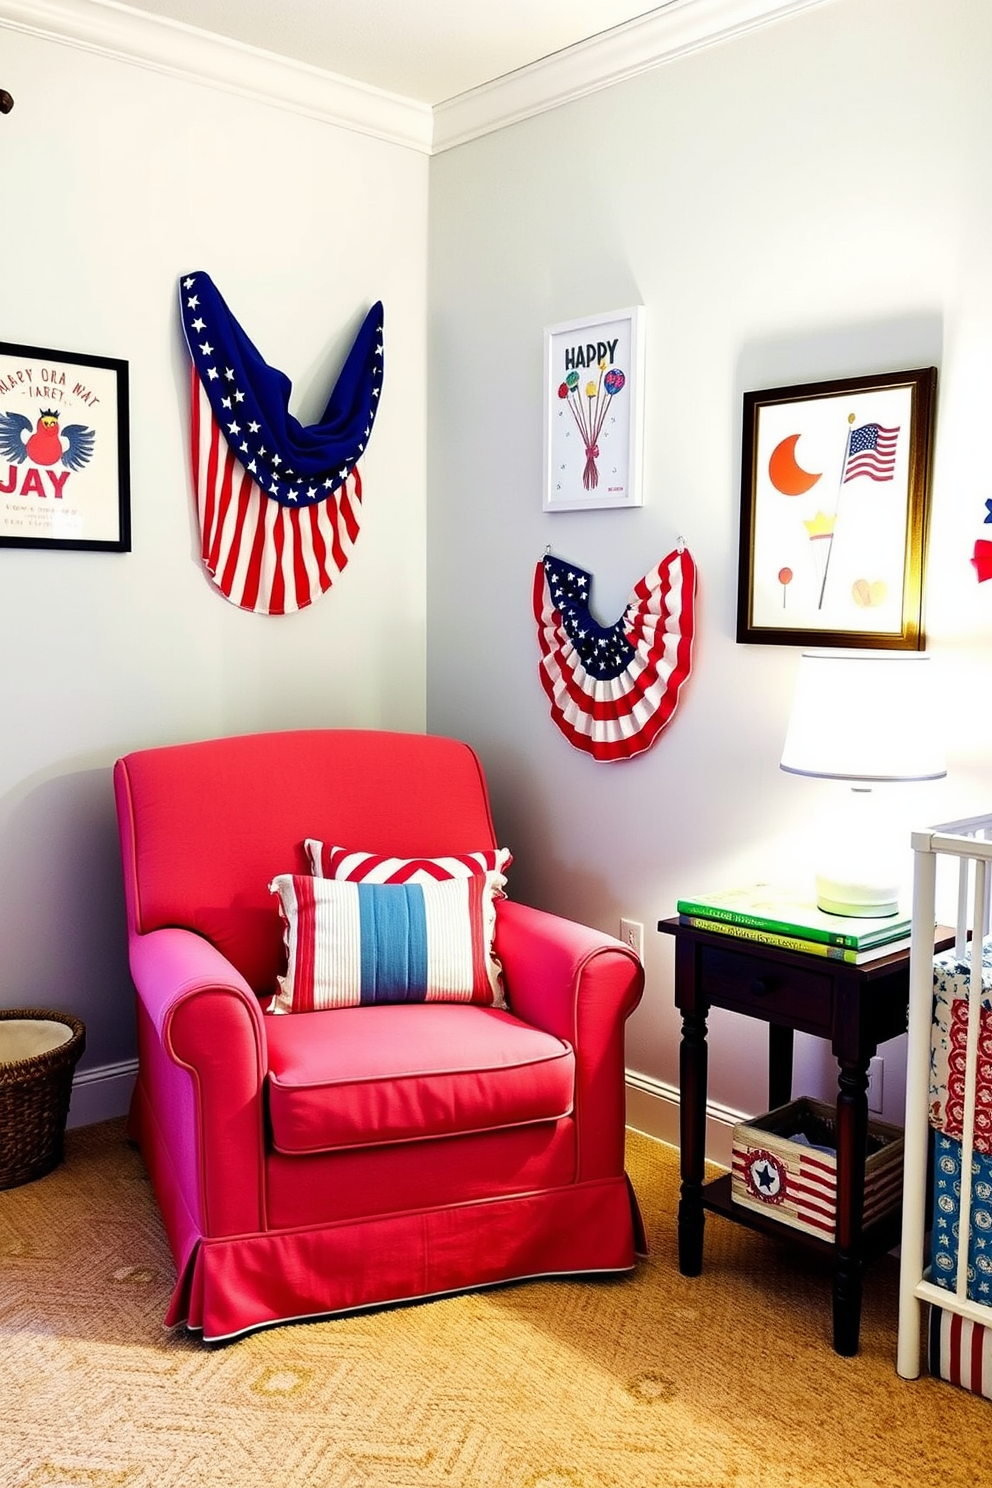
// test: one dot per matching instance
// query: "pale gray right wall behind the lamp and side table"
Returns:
(810, 202)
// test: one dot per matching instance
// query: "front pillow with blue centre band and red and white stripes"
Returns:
(350, 946)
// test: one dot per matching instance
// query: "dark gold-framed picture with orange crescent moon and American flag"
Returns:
(835, 495)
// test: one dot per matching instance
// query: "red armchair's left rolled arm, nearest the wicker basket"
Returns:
(203, 1051)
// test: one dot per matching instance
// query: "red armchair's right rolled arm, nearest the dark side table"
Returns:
(581, 986)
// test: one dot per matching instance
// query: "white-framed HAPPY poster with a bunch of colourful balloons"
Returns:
(594, 411)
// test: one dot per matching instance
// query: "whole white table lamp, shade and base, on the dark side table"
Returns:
(862, 716)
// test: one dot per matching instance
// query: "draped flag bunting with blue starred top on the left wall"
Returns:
(279, 502)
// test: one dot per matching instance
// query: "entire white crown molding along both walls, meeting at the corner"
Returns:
(184, 51)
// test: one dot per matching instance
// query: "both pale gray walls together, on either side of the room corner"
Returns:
(808, 202)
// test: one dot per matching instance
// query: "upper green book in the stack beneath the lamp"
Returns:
(783, 911)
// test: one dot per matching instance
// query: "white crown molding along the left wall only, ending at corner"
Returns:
(185, 51)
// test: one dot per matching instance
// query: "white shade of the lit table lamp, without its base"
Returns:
(865, 716)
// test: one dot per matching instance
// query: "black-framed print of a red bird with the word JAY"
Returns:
(65, 455)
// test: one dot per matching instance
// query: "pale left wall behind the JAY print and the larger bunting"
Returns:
(117, 181)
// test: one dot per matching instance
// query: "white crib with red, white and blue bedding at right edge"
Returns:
(950, 1111)
